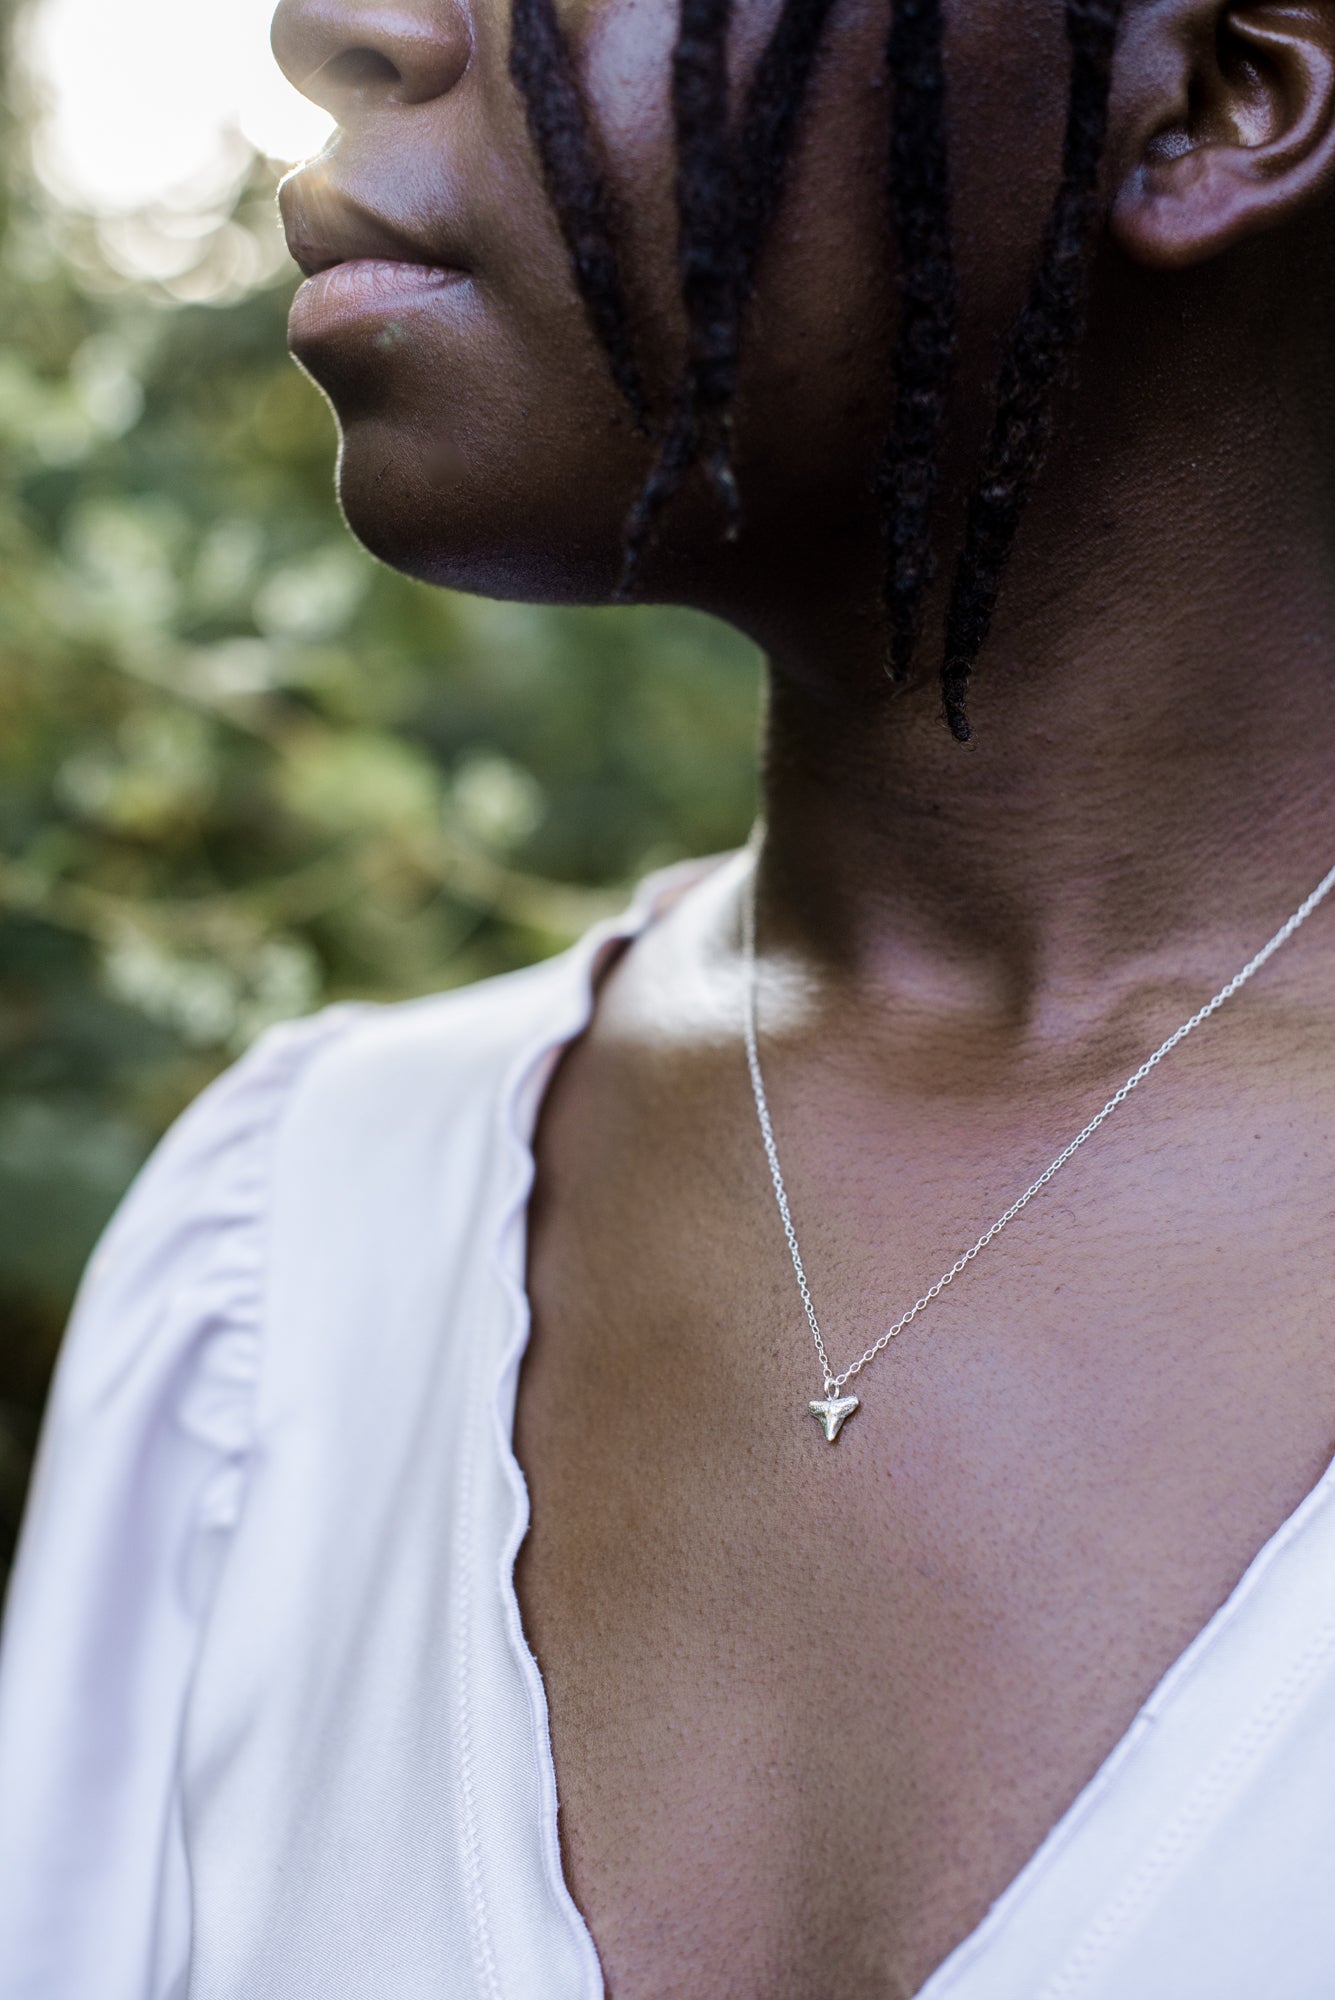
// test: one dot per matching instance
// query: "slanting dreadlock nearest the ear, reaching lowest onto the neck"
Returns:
(1038, 359)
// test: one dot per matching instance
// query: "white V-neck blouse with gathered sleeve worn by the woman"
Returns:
(269, 1723)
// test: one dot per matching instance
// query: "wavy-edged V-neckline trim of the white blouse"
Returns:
(964, 1973)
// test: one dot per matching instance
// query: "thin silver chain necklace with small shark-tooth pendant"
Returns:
(834, 1409)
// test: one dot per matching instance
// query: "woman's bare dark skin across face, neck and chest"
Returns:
(814, 1709)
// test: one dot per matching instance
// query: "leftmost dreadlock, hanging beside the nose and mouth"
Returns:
(543, 69)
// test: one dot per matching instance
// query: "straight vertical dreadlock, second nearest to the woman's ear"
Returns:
(926, 345)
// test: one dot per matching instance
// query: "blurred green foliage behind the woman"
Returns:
(243, 769)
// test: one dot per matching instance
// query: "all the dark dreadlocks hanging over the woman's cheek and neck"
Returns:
(728, 191)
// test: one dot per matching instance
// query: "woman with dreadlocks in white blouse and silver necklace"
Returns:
(1026, 1685)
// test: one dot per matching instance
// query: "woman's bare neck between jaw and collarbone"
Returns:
(1154, 759)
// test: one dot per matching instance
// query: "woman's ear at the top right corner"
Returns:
(1228, 123)
